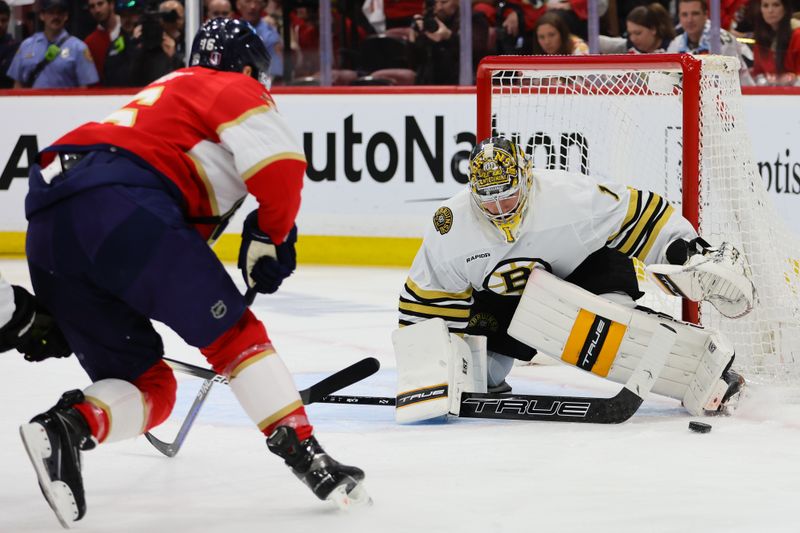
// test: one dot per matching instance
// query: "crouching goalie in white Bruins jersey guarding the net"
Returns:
(527, 260)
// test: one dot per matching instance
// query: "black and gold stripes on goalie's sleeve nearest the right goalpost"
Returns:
(646, 216)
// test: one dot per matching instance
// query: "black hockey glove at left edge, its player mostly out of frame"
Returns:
(32, 331)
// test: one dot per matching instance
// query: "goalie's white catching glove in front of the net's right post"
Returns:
(700, 272)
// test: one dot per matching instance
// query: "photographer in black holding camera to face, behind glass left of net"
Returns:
(436, 42)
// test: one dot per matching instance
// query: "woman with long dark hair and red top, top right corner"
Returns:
(777, 48)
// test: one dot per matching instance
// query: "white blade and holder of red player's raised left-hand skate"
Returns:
(58, 495)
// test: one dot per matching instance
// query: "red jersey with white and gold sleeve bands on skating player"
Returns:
(216, 135)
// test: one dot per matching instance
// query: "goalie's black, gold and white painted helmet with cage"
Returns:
(500, 178)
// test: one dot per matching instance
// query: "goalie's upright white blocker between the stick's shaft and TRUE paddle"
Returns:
(434, 367)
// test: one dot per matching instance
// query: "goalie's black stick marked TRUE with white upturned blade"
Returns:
(614, 410)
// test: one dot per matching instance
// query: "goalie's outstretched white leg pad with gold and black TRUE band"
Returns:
(609, 340)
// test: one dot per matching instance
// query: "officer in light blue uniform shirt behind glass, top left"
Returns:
(52, 58)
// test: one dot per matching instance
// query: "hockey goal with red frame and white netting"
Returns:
(672, 124)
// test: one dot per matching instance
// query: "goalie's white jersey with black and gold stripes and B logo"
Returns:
(569, 216)
